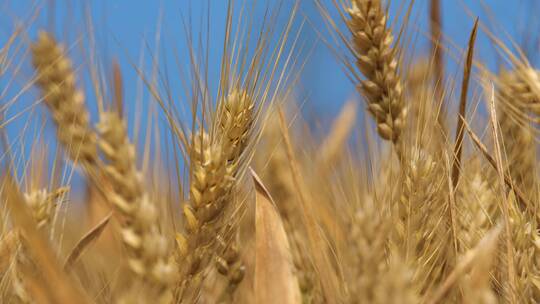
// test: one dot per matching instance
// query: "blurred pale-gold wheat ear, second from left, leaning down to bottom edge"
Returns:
(147, 249)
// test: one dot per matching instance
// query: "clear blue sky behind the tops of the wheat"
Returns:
(122, 25)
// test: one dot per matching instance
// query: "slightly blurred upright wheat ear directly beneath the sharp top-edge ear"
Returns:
(422, 232)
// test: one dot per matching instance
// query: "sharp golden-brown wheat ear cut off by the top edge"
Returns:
(376, 60)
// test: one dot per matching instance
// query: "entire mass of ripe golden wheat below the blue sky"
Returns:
(265, 212)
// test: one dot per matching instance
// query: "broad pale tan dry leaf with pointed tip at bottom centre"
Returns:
(274, 278)
